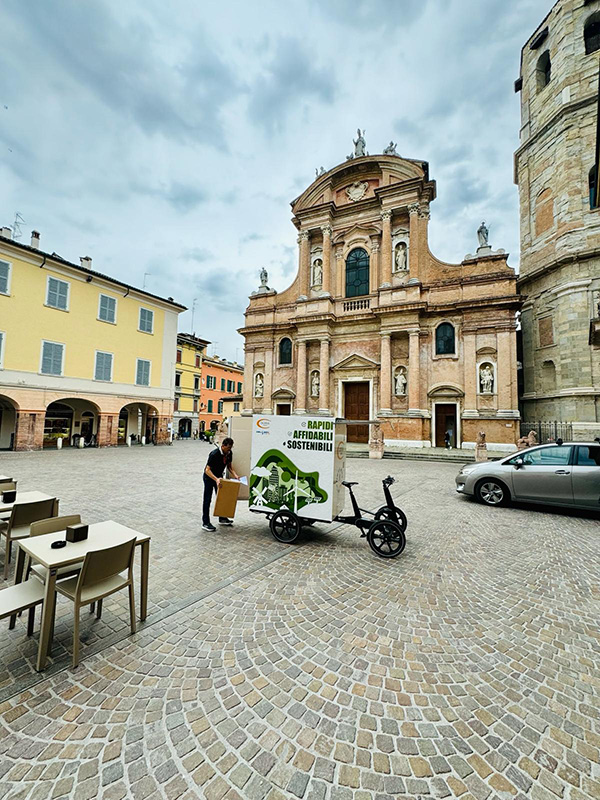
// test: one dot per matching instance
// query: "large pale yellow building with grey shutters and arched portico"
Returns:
(82, 355)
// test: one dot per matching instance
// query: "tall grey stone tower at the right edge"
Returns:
(560, 218)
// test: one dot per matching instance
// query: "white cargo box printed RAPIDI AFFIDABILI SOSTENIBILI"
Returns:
(298, 463)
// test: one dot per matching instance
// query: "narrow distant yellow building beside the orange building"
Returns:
(188, 382)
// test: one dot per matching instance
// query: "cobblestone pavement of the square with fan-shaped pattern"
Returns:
(468, 667)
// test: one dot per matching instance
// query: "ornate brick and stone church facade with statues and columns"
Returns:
(376, 327)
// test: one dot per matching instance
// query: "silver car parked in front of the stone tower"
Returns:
(554, 474)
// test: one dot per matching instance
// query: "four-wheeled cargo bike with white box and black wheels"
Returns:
(297, 478)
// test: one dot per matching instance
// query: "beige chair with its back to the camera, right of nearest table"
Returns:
(99, 577)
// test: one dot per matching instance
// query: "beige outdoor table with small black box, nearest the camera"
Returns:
(100, 535)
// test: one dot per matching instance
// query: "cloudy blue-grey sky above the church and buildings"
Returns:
(167, 139)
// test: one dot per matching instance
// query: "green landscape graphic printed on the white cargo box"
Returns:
(276, 482)
